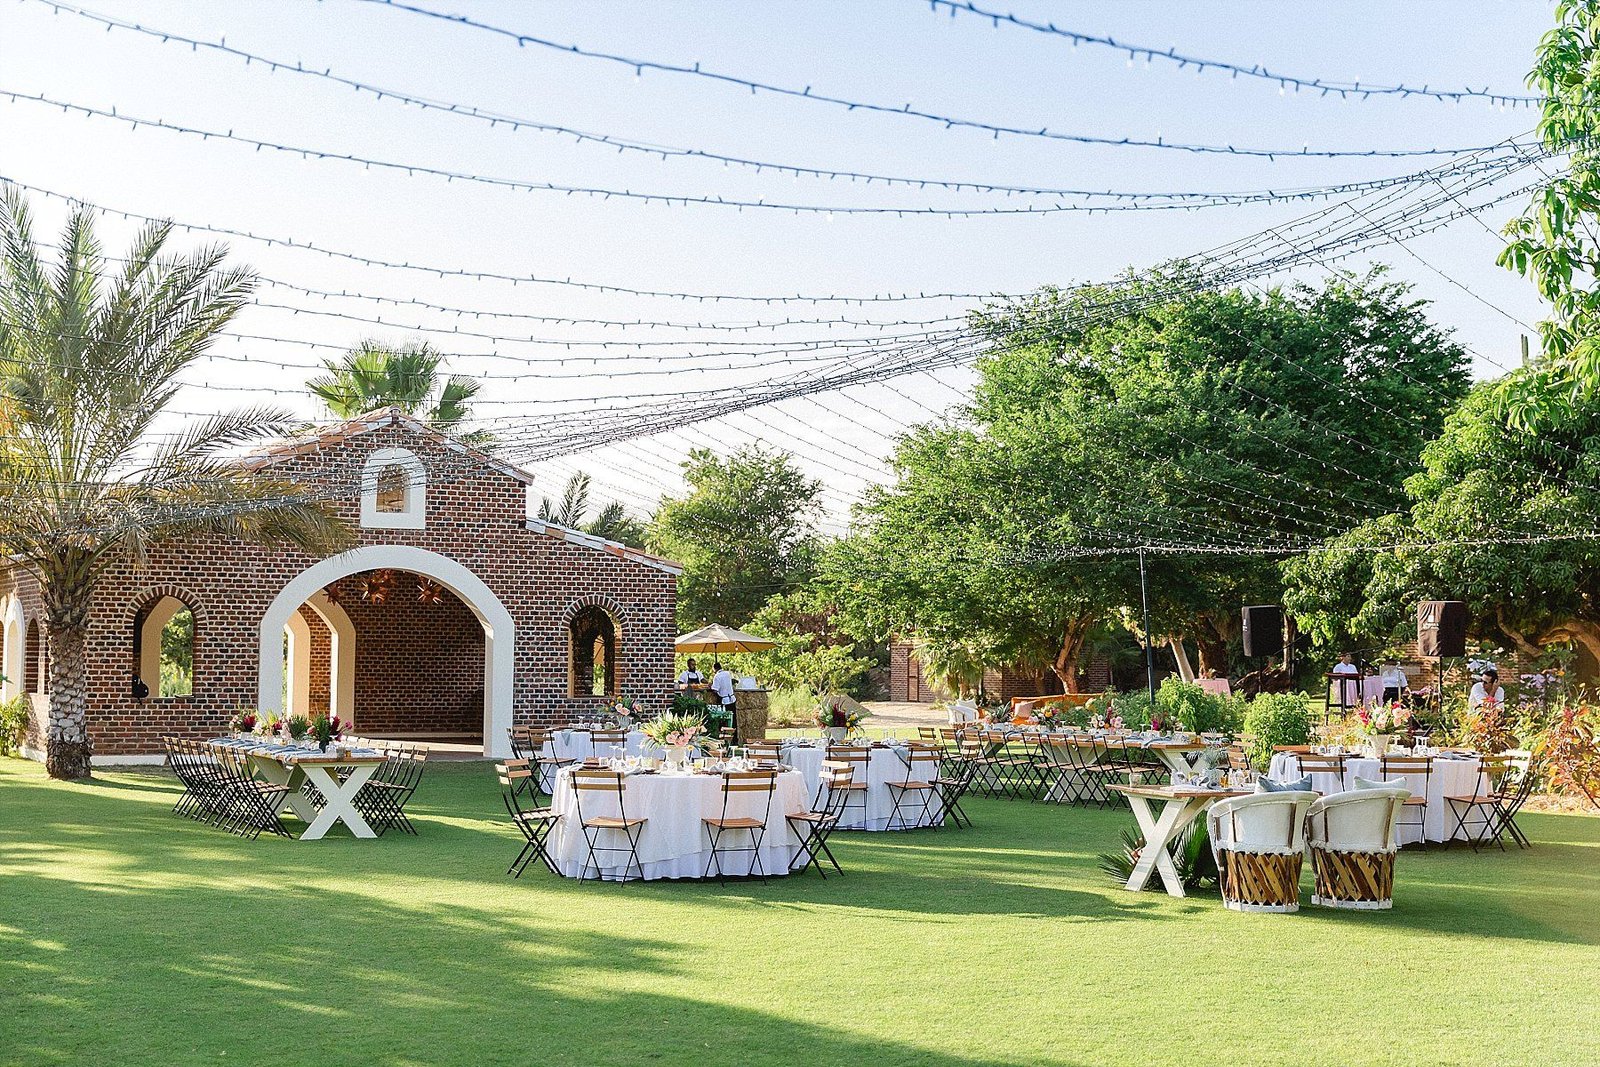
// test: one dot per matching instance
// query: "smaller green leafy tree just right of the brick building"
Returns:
(745, 532)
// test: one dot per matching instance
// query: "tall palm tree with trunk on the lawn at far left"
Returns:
(87, 364)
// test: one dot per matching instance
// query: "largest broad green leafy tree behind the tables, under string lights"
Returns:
(1201, 418)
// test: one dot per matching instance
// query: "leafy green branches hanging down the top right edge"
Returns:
(1556, 242)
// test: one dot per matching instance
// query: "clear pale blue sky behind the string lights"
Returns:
(890, 52)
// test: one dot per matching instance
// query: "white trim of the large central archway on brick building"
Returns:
(500, 633)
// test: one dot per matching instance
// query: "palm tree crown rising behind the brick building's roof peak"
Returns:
(374, 375)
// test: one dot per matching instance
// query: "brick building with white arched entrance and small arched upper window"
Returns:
(455, 615)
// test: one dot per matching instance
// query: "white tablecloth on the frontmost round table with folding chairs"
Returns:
(674, 844)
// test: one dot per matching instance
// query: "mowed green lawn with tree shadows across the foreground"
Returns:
(132, 937)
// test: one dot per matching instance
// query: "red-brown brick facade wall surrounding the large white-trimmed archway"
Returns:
(474, 516)
